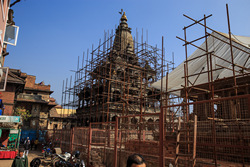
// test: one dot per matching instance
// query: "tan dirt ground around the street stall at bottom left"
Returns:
(31, 156)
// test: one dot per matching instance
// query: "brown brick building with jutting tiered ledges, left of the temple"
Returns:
(36, 99)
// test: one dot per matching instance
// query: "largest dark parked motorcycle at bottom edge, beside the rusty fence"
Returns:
(63, 160)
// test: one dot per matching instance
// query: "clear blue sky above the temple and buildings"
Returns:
(54, 33)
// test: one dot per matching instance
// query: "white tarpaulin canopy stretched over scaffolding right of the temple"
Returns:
(196, 66)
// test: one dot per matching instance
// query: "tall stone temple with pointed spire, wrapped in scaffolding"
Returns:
(116, 79)
